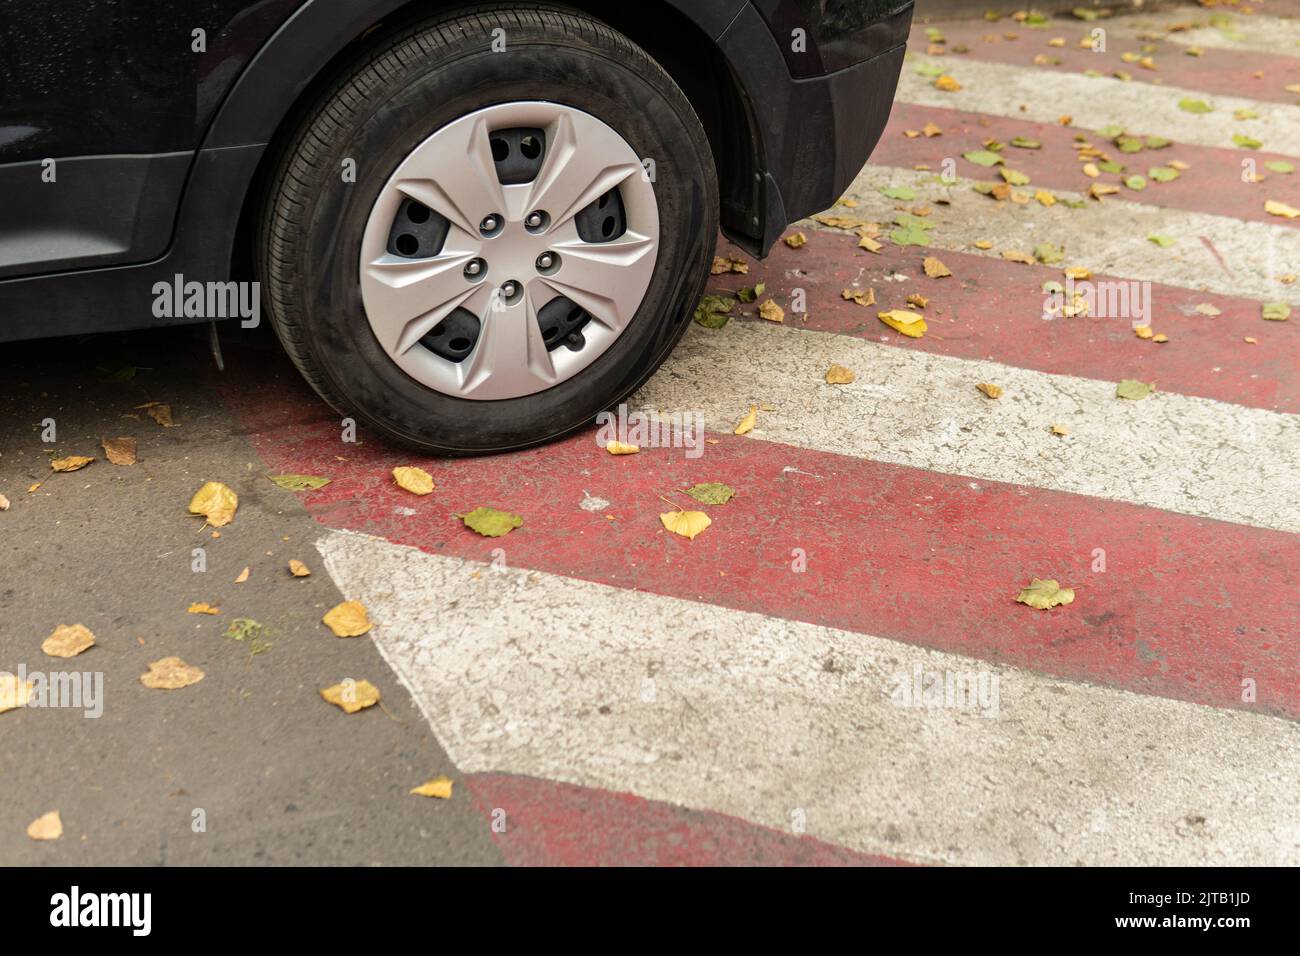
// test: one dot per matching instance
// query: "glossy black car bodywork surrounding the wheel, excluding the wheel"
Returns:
(184, 166)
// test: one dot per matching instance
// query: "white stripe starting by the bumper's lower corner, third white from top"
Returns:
(1110, 237)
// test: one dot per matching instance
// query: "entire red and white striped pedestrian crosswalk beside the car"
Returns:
(782, 689)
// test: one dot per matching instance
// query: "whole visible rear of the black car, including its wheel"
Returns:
(473, 227)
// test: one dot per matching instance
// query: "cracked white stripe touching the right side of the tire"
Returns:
(1194, 456)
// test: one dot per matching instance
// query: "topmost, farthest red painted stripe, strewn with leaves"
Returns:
(1217, 71)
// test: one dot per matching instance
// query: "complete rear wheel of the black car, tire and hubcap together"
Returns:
(532, 219)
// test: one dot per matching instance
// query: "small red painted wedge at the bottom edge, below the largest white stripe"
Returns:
(551, 824)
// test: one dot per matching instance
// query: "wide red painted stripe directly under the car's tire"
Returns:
(1188, 608)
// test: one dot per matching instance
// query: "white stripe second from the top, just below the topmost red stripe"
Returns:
(1028, 93)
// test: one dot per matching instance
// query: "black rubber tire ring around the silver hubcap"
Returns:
(400, 94)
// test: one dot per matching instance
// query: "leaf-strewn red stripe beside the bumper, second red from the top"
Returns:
(1214, 184)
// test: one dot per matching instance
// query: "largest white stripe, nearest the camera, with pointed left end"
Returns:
(774, 721)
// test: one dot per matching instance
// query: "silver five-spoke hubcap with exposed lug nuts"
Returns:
(530, 282)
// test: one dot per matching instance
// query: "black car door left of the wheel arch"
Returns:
(102, 107)
